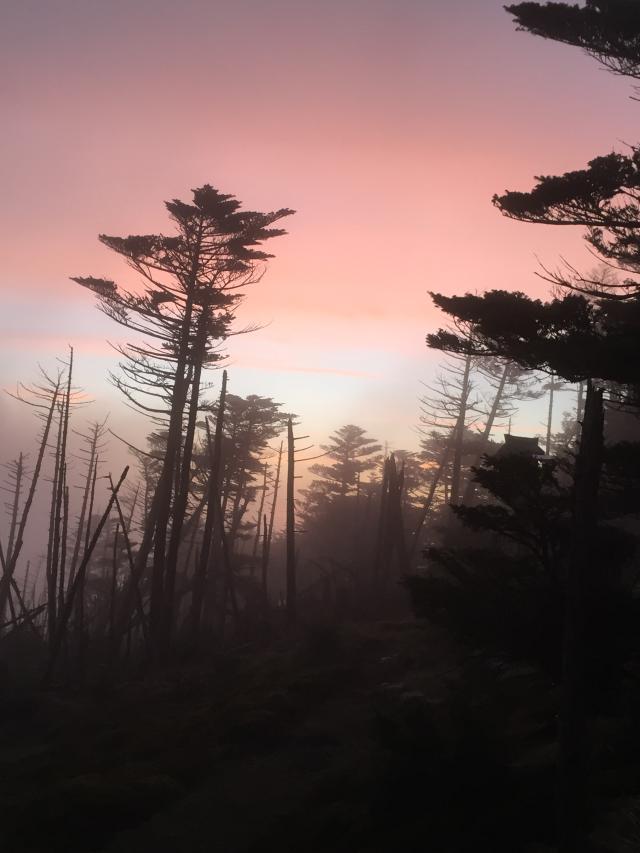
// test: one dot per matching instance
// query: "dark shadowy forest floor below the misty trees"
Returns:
(366, 738)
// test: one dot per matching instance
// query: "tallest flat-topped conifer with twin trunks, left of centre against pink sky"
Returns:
(191, 283)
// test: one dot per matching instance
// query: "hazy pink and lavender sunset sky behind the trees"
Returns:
(386, 125)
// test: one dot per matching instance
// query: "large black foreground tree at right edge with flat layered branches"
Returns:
(580, 338)
